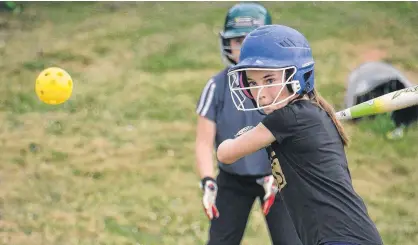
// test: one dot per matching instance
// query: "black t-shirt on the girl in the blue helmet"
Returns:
(309, 162)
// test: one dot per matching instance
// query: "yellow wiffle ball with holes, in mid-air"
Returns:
(54, 86)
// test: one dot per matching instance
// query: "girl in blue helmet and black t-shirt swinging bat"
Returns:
(304, 139)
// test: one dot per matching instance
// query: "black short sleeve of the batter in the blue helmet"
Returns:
(281, 123)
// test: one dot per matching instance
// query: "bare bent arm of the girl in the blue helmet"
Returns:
(255, 139)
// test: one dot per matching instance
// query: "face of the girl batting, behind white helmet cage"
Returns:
(272, 95)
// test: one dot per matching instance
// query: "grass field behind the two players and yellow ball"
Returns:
(115, 164)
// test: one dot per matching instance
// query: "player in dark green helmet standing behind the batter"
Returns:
(229, 196)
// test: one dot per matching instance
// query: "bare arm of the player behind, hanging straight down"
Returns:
(205, 137)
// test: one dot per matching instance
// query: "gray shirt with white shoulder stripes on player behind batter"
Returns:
(215, 103)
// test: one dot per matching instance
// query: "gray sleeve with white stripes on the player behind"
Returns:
(207, 103)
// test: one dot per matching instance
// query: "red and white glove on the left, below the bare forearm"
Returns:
(210, 190)
